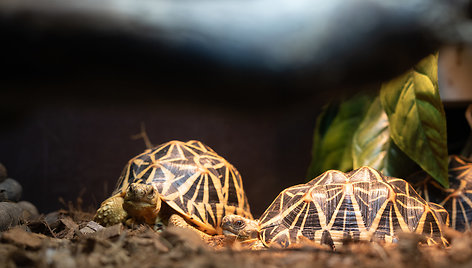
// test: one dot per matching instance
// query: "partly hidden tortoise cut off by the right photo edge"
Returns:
(457, 199)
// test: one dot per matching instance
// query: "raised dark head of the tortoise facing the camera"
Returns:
(142, 201)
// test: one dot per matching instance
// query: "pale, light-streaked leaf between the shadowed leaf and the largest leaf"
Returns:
(372, 145)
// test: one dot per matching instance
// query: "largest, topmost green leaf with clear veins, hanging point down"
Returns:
(417, 119)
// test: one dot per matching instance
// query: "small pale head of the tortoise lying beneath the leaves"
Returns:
(242, 228)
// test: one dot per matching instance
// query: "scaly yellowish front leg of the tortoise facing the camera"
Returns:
(111, 211)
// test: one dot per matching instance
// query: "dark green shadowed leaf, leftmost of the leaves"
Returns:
(332, 138)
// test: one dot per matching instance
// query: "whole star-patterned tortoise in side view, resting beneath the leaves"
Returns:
(334, 207)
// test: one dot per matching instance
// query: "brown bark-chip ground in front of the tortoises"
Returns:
(67, 238)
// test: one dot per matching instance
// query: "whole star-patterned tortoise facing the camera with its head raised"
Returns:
(181, 183)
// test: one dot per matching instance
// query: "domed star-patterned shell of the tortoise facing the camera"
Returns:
(192, 179)
